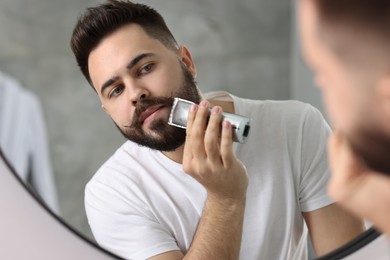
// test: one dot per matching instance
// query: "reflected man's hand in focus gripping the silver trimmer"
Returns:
(208, 154)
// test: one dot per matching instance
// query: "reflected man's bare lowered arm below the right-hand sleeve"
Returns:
(331, 227)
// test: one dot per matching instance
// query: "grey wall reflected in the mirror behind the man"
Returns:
(247, 48)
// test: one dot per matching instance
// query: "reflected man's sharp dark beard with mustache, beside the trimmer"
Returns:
(162, 137)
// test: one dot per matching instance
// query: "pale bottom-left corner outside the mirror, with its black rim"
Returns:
(30, 230)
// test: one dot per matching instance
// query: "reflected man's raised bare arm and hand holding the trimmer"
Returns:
(209, 158)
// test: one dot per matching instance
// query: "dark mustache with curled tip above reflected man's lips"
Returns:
(144, 104)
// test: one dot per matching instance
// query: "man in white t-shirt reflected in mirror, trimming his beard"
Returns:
(193, 193)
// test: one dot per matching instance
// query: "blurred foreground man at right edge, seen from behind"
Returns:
(347, 44)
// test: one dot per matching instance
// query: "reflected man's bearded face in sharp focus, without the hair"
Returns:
(136, 78)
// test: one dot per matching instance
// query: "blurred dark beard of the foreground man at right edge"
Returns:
(373, 146)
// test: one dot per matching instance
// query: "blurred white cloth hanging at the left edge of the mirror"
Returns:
(24, 140)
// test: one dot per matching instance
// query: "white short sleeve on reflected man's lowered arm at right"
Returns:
(314, 164)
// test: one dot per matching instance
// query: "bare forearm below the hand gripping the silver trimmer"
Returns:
(219, 231)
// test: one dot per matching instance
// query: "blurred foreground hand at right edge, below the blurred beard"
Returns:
(355, 187)
